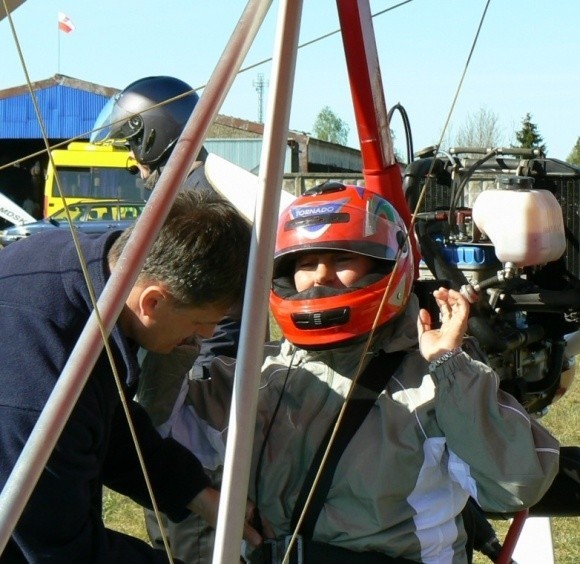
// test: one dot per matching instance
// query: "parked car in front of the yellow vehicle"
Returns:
(96, 216)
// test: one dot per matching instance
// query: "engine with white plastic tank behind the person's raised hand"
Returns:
(502, 226)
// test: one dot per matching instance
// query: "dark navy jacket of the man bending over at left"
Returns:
(44, 306)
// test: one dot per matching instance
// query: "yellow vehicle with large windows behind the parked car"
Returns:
(91, 172)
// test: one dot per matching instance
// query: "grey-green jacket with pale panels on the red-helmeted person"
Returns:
(429, 442)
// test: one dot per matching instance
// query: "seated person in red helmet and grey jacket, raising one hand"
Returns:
(425, 426)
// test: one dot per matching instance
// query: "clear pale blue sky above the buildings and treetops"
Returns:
(525, 59)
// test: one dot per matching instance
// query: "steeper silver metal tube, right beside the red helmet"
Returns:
(234, 488)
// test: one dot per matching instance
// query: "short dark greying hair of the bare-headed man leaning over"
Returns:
(201, 252)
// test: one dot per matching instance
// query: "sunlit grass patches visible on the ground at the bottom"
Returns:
(563, 420)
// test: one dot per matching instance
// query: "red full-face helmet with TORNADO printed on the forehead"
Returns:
(342, 218)
